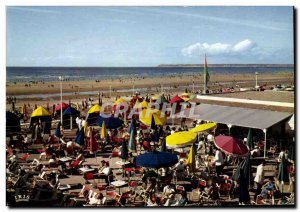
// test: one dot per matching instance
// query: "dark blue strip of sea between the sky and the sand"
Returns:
(46, 74)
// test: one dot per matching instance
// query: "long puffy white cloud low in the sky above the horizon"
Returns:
(219, 48)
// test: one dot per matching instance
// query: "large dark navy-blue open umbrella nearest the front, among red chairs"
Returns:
(156, 159)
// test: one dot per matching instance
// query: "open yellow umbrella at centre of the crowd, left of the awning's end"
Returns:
(145, 116)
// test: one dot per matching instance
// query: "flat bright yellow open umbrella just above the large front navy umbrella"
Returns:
(181, 139)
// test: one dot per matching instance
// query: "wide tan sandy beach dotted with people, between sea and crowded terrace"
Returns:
(74, 91)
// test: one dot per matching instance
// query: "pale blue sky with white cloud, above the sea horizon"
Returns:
(148, 36)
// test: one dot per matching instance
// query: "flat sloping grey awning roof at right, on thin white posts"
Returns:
(236, 116)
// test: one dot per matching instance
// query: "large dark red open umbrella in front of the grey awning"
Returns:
(231, 145)
